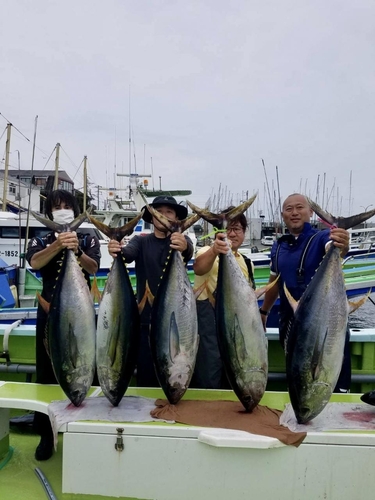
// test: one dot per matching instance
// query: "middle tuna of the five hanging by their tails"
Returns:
(174, 325)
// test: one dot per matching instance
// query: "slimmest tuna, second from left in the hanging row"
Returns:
(117, 335)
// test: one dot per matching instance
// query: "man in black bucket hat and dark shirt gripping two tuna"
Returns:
(150, 253)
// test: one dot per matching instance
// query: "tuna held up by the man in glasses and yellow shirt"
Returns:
(242, 341)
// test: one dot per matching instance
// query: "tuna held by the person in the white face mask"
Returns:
(71, 323)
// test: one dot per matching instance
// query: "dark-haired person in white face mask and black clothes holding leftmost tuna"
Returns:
(45, 254)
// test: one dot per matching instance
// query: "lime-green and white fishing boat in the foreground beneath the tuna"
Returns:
(105, 459)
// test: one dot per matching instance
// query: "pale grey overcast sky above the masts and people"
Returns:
(213, 87)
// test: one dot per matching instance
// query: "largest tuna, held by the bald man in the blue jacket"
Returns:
(316, 340)
